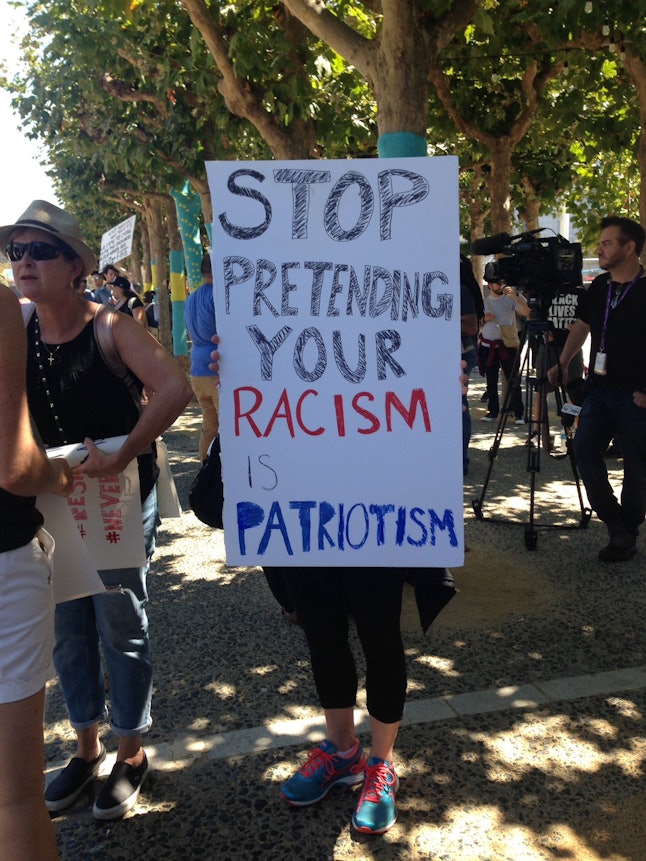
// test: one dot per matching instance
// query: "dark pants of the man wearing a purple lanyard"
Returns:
(608, 414)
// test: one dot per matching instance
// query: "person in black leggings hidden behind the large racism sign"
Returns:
(324, 599)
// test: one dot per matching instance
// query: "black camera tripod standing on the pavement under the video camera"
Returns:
(537, 429)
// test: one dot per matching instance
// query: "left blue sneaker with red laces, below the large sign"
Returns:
(321, 772)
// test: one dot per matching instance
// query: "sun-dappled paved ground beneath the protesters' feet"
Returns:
(524, 733)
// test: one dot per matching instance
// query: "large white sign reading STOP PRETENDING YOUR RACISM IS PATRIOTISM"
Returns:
(338, 308)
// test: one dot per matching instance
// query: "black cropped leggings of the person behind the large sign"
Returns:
(323, 599)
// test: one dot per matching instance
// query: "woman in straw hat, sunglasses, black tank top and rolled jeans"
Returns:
(74, 396)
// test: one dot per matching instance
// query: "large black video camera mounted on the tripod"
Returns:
(539, 266)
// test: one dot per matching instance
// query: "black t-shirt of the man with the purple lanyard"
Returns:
(625, 342)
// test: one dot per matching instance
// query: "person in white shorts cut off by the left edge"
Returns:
(27, 607)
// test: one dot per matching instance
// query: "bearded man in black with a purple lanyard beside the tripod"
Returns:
(613, 312)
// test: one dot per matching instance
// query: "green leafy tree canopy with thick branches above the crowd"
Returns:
(544, 104)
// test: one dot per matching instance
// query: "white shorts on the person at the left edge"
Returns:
(26, 618)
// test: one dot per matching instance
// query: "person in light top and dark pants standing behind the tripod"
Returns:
(499, 345)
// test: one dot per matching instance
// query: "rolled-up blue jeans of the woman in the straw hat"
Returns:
(117, 620)
